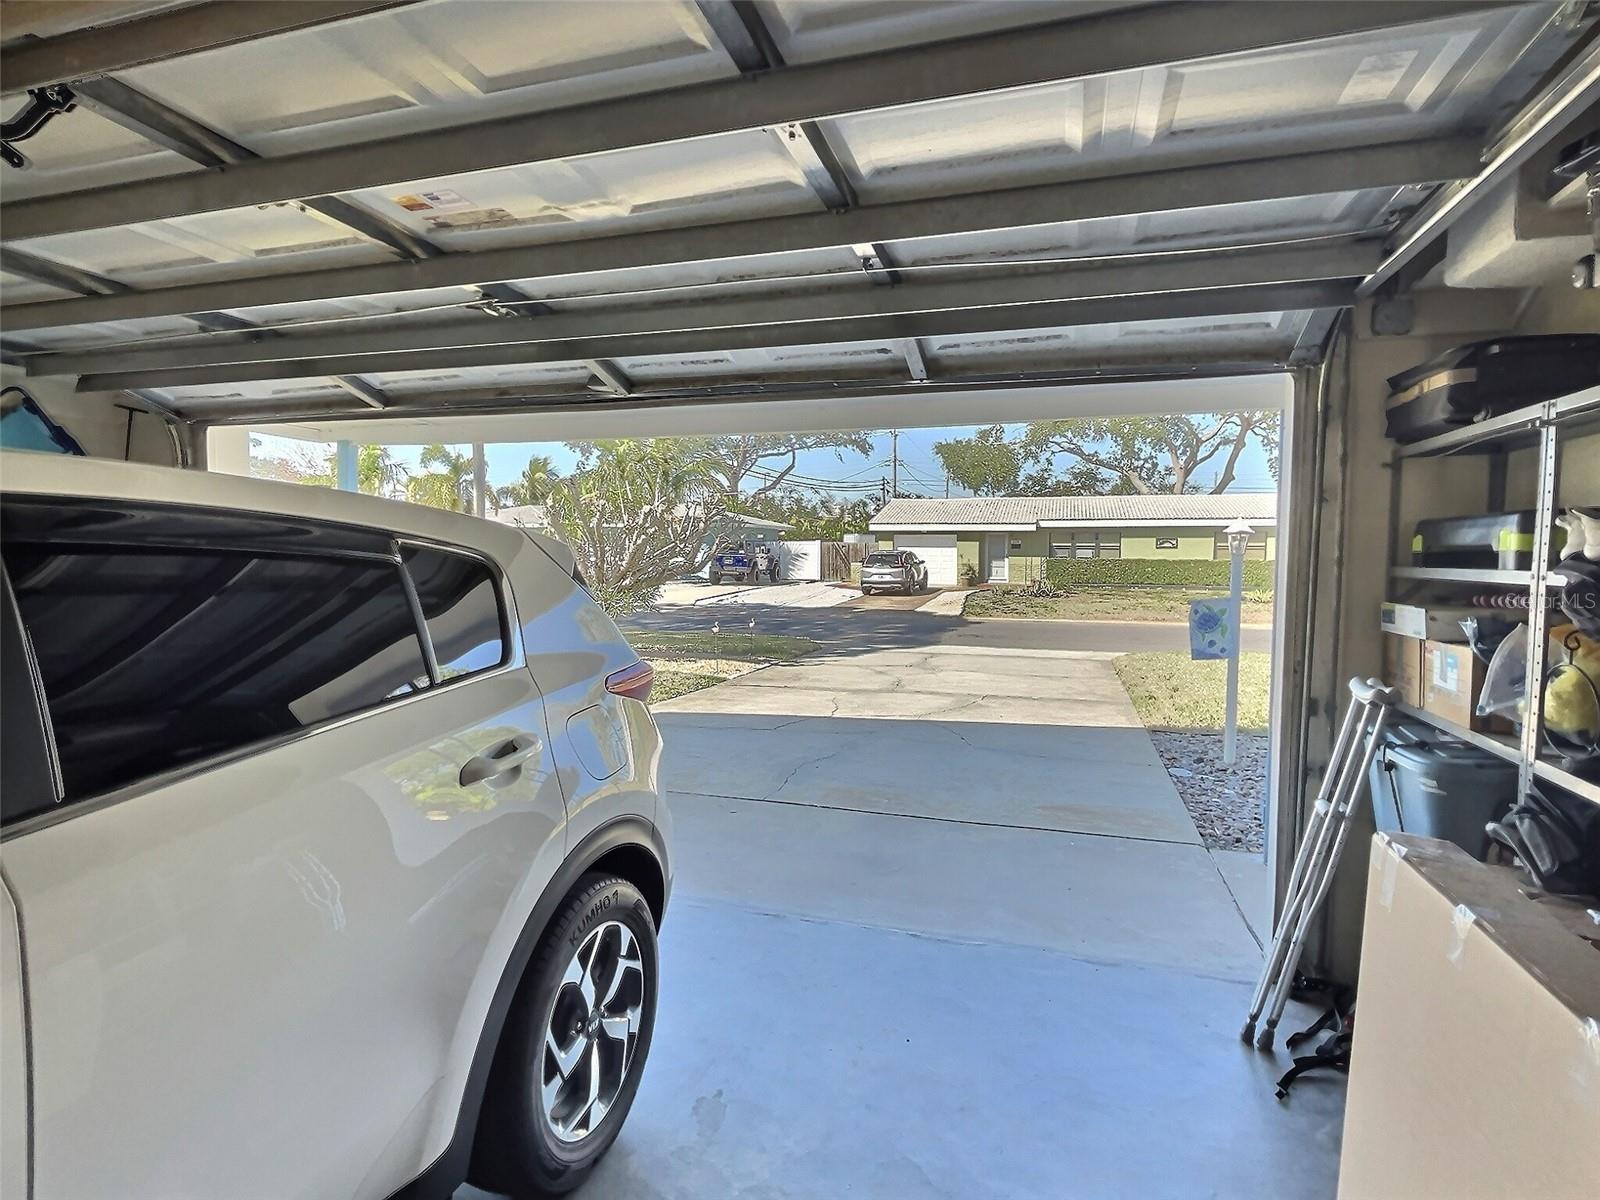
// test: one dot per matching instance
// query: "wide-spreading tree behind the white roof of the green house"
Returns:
(1154, 454)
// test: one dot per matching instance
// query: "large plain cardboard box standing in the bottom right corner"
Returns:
(1476, 1066)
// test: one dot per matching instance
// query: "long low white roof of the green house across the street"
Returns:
(1030, 513)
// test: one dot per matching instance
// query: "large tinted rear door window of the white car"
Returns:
(154, 658)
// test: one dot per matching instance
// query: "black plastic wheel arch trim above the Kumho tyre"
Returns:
(630, 847)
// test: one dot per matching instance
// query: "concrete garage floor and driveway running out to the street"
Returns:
(943, 929)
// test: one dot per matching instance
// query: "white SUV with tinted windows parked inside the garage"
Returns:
(334, 849)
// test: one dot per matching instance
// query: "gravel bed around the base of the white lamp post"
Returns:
(1225, 802)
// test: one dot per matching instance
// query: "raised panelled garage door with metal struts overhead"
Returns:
(463, 204)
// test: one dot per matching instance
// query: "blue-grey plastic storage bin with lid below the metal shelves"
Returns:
(1425, 783)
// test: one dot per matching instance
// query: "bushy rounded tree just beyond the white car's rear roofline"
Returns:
(638, 514)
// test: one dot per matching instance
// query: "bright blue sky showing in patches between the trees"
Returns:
(919, 465)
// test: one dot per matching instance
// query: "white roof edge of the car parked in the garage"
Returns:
(36, 474)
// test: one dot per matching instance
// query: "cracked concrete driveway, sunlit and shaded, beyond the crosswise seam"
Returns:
(1020, 738)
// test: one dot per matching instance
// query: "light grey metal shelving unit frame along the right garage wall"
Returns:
(1543, 428)
